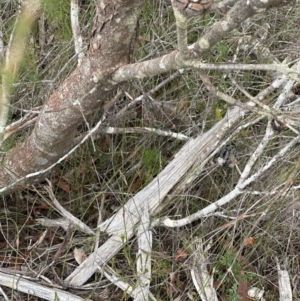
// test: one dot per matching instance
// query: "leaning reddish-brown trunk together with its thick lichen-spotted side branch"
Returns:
(95, 81)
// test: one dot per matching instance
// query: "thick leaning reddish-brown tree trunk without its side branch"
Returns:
(85, 90)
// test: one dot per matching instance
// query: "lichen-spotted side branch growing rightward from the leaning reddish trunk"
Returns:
(235, 16)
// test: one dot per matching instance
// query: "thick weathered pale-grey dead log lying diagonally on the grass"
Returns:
(122, 223)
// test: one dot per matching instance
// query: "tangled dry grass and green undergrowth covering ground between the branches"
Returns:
(104, 173)
